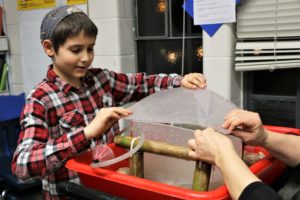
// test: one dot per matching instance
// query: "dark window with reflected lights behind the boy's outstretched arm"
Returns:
(159, 26)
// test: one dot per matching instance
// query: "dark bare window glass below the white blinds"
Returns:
(273, 94)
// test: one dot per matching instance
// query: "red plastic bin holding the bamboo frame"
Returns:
(129, 187)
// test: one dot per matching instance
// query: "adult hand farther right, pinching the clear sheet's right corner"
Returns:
(247, 126)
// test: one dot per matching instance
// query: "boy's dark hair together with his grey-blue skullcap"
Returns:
(64, 22)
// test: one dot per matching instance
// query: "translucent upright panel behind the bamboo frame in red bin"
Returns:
(169, 170)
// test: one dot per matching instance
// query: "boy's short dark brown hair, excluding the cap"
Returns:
(71, 26)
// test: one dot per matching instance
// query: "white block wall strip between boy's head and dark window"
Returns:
(115, 43)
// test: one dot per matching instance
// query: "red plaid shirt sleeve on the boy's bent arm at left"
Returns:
(37, 153)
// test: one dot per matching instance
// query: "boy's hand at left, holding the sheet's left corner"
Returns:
(104, 119)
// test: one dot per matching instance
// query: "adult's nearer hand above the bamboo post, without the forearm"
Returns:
(208, 145)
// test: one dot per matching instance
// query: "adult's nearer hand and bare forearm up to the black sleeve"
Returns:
(216, 148)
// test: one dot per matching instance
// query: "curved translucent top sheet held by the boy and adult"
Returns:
(198, 108)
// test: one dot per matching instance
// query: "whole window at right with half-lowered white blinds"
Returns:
(268, 51)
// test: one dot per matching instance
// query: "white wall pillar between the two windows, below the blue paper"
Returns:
(219, 63)
